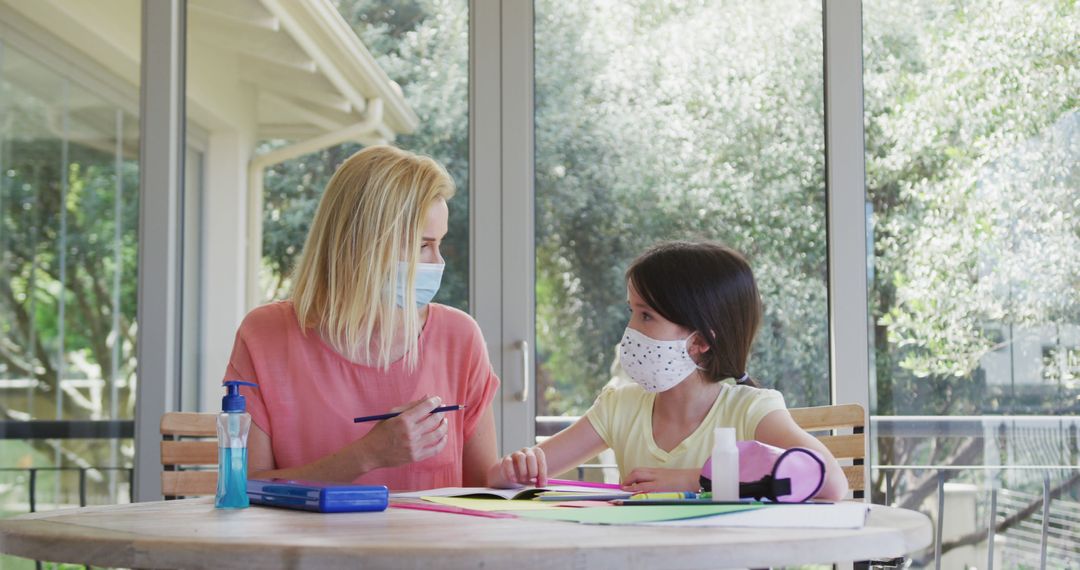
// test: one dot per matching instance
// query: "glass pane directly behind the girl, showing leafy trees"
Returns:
(667, 121)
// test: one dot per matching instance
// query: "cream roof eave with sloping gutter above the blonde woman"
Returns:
(310, 73)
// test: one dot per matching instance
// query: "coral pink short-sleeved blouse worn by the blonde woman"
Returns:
(309, 395)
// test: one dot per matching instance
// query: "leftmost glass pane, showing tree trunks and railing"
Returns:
(69, 250)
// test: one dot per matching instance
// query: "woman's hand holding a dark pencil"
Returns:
(414, 436)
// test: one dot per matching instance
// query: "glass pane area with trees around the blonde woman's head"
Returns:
(424, 48)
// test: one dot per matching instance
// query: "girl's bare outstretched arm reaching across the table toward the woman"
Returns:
(532, 466)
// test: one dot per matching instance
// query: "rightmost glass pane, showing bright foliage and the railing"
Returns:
(973, 155)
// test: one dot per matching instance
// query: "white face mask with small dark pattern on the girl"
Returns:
(657, 365)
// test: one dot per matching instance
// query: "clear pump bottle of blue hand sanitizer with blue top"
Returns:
(233, 427)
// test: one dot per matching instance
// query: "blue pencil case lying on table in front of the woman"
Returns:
(317, 496)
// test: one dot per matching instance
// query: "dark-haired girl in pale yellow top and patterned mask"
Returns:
(694, 313)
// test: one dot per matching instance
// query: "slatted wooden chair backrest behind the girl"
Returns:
(845, 447)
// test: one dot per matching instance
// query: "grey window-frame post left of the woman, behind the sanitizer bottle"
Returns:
(160, 253)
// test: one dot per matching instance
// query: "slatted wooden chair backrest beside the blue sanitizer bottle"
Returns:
(188, 454)
